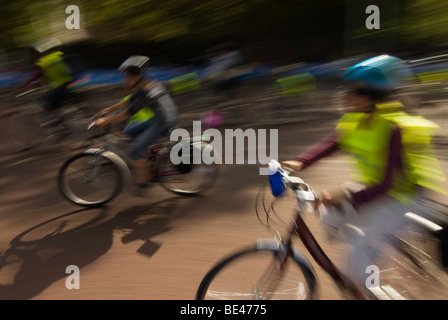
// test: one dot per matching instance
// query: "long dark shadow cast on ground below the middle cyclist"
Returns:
(40, 255)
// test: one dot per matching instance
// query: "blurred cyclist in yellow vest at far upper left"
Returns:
(50, 67)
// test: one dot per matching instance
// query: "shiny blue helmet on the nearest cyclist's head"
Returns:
(383, 72)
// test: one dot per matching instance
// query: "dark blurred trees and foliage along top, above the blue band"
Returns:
(187, 32)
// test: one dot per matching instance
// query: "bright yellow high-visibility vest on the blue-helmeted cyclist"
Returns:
(367, 140)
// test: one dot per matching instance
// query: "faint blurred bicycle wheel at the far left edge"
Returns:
(20, 133)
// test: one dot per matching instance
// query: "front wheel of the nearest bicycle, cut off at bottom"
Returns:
(253, 273)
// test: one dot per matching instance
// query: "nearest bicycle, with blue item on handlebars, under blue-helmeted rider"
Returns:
(273, 278)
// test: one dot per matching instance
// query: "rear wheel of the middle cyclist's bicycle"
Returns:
(197, 180)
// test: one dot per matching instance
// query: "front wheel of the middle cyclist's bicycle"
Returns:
(95, 165)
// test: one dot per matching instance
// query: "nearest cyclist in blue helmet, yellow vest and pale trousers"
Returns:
(393, 155)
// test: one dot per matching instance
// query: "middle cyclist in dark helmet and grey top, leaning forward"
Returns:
(149, 111)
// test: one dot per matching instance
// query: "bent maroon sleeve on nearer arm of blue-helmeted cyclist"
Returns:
(394, 162)
